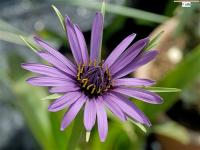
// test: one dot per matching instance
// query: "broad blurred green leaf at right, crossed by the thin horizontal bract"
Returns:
(180, 77)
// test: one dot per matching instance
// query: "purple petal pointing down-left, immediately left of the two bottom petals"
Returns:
(72, 112)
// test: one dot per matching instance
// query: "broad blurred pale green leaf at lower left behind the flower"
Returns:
(35, 112)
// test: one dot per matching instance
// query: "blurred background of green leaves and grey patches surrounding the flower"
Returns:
(26, 124)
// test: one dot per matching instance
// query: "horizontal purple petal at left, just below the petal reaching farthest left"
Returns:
(48, 81)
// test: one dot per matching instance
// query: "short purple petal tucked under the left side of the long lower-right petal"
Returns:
(114, 108)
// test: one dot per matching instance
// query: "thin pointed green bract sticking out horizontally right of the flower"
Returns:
(162, 89)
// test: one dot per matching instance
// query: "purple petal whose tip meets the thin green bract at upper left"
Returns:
(56, 62)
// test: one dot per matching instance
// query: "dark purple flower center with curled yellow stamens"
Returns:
(93, 79)
